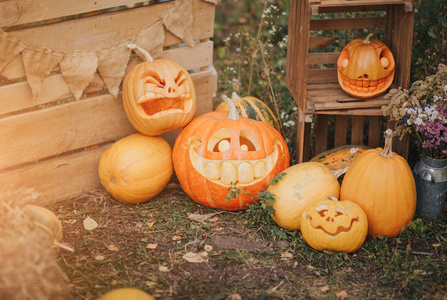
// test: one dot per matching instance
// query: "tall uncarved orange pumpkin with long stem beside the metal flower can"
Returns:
(383, 185)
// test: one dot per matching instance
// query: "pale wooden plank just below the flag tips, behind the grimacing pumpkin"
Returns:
(71, 126)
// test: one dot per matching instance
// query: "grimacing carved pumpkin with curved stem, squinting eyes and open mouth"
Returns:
(158, 95)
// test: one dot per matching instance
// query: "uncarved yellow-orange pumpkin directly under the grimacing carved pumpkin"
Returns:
(136, 168)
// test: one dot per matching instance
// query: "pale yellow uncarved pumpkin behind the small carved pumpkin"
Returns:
(301, 185)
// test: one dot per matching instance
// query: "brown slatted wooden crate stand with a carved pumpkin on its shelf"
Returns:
(312, 75)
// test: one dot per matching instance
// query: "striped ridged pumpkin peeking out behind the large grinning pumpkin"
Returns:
(251, 107)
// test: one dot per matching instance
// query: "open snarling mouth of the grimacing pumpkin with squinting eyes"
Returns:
(155, 104)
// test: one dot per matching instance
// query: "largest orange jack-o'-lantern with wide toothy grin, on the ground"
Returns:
(219, 149)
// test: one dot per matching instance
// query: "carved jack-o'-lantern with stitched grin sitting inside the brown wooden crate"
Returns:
(365, 68)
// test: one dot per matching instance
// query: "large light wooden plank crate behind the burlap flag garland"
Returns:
(53, 143)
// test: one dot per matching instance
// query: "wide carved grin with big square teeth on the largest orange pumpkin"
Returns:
(225, 172)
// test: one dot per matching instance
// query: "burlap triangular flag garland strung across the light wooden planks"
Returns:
(79, 67)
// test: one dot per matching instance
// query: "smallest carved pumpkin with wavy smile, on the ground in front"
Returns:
(334, 225)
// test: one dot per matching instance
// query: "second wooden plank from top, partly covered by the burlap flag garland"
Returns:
(113, 28)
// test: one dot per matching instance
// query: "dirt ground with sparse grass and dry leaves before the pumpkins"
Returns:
(146, 246)
